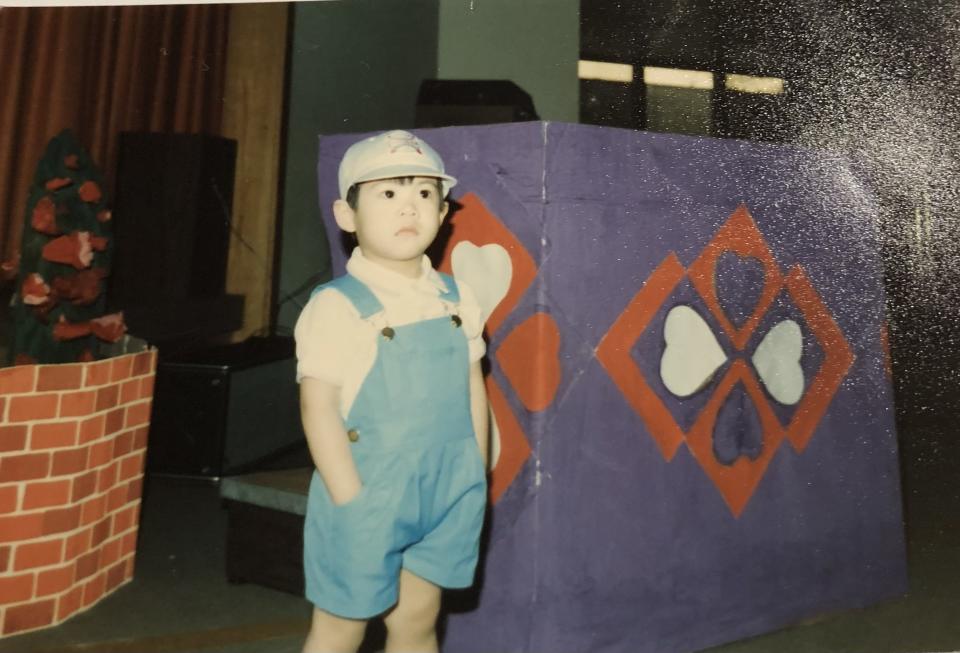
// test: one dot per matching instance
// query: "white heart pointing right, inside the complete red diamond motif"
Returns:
(692, 354)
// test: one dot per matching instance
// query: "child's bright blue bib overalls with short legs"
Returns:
(424, 486)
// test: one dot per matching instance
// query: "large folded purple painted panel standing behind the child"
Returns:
(600, 544)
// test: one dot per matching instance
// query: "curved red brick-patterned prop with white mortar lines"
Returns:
(72, 446)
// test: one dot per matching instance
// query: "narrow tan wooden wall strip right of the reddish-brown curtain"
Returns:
(253, 115)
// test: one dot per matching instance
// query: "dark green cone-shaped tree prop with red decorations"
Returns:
(65, 258)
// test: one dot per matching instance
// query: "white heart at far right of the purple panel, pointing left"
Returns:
(777, 361)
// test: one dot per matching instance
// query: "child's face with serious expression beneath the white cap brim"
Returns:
(395, 219)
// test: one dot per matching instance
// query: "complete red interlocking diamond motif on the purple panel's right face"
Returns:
(736, 482)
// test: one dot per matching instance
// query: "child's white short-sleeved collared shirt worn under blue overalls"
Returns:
(336, 346)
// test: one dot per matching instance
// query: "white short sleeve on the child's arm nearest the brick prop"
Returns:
(324, 336)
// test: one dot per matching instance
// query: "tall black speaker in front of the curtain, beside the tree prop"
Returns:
(172, 214)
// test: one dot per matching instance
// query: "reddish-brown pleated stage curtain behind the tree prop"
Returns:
(100, 71)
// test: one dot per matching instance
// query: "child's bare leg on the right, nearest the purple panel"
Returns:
(411, 624)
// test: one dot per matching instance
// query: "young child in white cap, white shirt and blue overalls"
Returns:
(394, 410)
